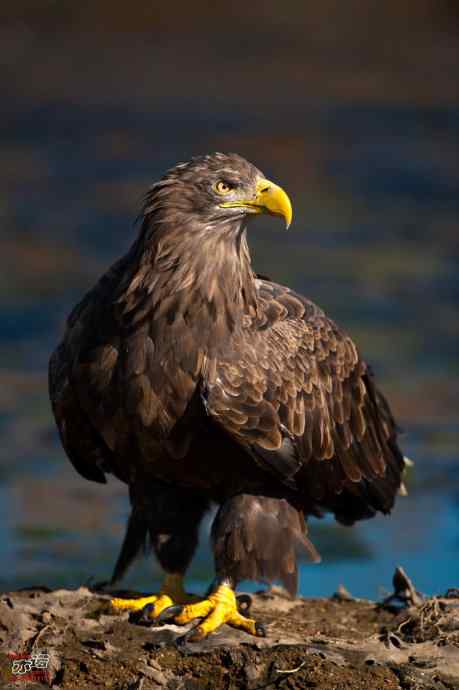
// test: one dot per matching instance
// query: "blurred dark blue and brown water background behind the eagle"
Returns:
(354, 108)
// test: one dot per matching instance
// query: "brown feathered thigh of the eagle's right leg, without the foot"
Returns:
(258, 538)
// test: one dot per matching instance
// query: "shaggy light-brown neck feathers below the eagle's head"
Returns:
(193, 277)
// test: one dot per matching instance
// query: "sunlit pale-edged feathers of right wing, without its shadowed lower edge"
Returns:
(315, 386)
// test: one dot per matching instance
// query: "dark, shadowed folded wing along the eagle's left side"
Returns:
(81, 372)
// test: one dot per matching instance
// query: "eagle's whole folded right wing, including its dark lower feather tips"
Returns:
(304, 404)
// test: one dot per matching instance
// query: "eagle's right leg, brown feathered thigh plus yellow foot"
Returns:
(256, 538)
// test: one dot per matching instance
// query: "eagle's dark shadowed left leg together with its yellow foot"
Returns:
(166, 519)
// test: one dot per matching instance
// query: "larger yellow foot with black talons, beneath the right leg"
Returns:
(220, 607)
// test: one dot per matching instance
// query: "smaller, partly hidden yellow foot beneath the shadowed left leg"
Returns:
(151, 607)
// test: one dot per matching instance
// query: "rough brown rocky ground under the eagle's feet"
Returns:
(342, 643)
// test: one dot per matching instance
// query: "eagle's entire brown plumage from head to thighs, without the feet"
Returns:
(195, 381)
